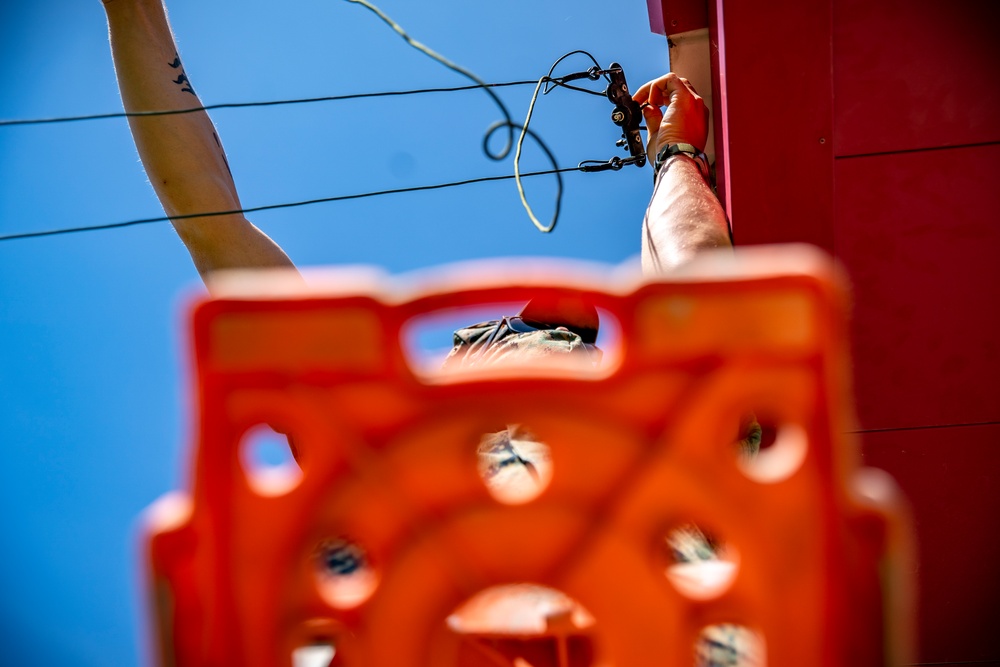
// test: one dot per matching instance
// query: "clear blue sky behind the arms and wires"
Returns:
(92, 388)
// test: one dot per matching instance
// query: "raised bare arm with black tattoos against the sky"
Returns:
(182, 154)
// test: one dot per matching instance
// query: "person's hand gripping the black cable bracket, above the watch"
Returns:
(685, 120)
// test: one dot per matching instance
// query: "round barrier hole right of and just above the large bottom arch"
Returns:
(699, 566)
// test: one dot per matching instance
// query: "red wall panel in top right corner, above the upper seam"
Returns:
(915, 74)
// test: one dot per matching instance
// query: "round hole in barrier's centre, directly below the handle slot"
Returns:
(514, 464)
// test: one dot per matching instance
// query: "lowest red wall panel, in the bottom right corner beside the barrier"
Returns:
(948, 476)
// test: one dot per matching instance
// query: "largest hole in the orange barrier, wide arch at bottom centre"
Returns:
(523, 625)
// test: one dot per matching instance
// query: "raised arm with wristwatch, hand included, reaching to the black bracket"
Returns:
(684, 217)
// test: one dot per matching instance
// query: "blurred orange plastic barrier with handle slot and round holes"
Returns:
(240, 562)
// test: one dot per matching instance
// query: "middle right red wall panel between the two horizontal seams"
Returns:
(920, 239)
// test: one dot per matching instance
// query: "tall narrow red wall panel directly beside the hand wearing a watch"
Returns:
(778, 113)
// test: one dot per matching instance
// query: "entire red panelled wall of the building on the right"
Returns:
(904, 94)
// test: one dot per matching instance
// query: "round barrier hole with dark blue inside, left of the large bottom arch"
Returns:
(344, 574)
